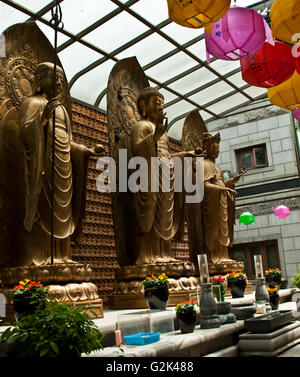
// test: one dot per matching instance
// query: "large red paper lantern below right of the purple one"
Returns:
(269, 66)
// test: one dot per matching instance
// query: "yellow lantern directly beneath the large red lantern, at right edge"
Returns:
(287, 94)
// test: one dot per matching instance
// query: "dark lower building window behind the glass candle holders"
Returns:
(245, 253)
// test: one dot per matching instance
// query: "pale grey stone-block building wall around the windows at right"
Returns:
(272, 127)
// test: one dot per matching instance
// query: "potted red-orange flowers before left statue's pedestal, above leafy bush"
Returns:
(26, 296)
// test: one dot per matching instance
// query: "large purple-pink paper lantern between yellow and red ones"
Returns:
(241, 32)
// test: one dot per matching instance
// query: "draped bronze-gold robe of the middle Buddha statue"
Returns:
(160, 214)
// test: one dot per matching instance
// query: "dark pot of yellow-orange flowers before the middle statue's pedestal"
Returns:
(156, 291)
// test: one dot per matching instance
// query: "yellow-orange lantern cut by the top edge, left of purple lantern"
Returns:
(197, 13)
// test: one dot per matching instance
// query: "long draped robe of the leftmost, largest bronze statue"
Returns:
(70, 170)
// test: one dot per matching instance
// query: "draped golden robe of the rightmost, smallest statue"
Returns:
(218, 214)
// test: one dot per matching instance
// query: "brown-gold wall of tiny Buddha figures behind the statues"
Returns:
(98, 244)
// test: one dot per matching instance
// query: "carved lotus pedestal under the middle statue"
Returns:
(129, 290)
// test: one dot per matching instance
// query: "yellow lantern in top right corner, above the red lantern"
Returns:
(285, 20)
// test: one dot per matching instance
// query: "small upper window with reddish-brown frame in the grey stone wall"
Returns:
(252, 157)
